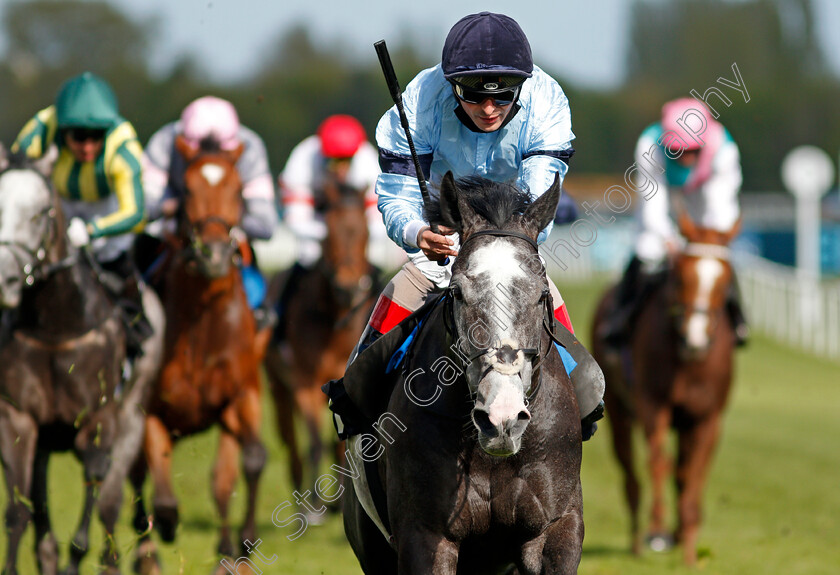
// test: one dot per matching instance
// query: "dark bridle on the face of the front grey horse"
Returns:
(534, 355)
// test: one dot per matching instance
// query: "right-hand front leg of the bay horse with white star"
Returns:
(243, 419)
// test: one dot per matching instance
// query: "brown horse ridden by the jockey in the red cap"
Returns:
(324, 318)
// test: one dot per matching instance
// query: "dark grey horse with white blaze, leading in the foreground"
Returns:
(479, 462)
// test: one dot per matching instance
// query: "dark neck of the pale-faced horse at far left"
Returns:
(67, 303)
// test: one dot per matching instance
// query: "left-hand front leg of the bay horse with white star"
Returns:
(158, 448)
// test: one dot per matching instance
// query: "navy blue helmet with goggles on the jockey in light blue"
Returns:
(487, 55)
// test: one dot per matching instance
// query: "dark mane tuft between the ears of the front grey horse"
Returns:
(494, 201)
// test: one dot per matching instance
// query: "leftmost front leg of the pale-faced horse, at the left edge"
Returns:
(18, 438)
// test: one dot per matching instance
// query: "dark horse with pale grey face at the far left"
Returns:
(62, 349)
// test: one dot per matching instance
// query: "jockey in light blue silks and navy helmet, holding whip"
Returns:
(485, 110)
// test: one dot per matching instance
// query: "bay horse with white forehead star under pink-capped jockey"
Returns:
(210, 373)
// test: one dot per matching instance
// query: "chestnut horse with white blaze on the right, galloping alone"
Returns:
(675, 372)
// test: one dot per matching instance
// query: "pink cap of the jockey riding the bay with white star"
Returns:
(211, 117)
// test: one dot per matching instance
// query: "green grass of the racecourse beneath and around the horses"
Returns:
(772, 505)
